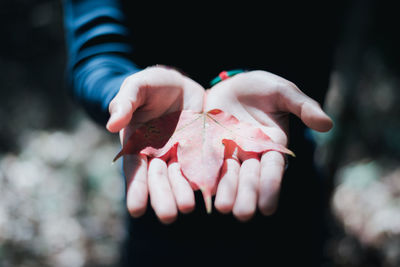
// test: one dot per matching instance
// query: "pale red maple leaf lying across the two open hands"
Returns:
(200, 139)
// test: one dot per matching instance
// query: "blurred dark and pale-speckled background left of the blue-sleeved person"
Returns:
(61, 199)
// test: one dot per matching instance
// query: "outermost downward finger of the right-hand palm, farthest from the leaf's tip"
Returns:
(271, 172)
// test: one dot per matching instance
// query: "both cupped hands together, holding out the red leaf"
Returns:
(247, 182)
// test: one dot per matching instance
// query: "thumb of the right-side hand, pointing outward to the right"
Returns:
(304, 107)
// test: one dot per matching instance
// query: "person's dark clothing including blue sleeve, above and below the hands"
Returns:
(109, 40)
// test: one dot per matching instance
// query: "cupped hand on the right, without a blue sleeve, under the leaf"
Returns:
(265, 100)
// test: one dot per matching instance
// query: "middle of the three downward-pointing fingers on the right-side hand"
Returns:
(246, 199)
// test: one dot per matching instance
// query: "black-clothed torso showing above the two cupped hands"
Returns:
(294, 40)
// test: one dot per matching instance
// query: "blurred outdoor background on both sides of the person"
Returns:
(61, 199)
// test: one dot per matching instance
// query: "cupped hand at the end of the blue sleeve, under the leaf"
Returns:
(143, 96)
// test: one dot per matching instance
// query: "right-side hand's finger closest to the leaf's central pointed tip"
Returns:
(227, 187)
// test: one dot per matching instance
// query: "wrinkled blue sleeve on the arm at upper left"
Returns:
(98, 53)
